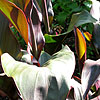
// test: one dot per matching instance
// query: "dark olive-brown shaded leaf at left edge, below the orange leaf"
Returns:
(8, 42)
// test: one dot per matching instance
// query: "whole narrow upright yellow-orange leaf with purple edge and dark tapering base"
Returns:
(80, 46)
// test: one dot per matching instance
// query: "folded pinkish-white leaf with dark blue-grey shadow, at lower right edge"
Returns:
(90, 73)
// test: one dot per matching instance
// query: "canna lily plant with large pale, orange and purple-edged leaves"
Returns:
(54, 79)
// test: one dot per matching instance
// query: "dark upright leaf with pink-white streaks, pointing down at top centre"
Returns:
(45, 9)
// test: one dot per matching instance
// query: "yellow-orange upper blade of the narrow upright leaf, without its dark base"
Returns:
(80, 43)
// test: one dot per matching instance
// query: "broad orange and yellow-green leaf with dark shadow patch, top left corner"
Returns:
(16, 17)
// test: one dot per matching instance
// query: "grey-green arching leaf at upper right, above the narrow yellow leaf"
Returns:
(80, 19)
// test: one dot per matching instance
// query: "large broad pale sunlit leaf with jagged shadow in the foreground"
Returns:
(50, 82)
